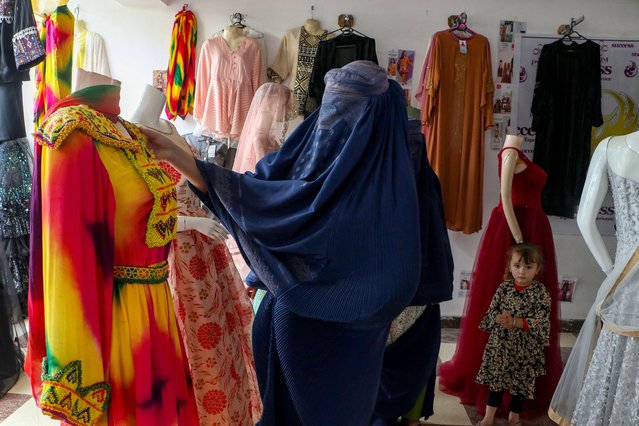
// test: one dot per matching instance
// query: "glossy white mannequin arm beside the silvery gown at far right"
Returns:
(592, 197)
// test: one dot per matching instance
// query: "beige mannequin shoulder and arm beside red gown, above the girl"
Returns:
(510, 165)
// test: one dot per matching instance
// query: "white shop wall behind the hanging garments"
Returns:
(138, 38)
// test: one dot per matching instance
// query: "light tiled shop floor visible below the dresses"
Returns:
(18, 409)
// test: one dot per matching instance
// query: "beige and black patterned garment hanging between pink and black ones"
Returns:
(296, 57)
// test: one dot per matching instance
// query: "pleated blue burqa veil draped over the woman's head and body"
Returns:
(330, 223)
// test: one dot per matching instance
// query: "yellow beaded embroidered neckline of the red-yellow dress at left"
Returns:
(162, 221)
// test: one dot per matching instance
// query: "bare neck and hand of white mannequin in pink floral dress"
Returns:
(147, 115)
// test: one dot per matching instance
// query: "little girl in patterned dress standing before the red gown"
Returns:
(518, 321)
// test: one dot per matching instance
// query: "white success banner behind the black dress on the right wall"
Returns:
(620, 104)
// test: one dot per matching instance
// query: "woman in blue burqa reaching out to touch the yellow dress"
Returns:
(332, 226)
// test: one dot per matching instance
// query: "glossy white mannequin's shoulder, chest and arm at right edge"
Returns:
(621, 154)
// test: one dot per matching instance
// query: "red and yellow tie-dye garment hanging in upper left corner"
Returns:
(53, 75)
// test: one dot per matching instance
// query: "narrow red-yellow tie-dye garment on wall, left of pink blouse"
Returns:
(180, 86)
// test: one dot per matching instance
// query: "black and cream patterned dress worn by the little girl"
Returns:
(514, 358)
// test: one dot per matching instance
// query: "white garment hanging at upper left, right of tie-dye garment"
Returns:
(89, 51)
